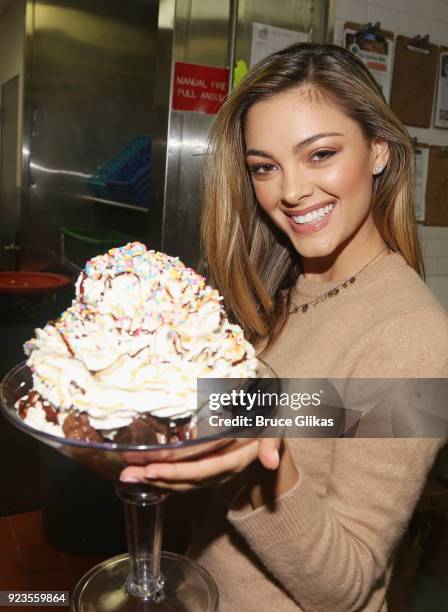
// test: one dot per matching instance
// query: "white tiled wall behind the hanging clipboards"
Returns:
(411, 17)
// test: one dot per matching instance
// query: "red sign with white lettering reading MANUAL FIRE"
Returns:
(199, 88)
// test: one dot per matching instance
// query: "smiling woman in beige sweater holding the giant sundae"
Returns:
(309, 232)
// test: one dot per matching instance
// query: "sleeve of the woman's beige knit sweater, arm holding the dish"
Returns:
(330, 549)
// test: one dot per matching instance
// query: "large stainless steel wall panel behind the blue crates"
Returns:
(92, 84)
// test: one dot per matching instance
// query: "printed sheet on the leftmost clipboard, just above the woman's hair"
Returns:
(377, 55)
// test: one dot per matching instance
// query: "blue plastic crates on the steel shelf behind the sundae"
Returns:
(125, 177)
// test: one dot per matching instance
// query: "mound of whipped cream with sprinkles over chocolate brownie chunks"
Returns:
(121, 363)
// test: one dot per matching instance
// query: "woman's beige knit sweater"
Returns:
(328, 543)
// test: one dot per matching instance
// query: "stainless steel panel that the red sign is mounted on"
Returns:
(200, 37)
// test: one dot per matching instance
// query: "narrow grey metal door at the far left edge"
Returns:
(9, 200)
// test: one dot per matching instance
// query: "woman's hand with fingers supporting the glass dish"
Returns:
(209, 469)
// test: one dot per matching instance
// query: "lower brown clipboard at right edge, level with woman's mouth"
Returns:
(437, 187)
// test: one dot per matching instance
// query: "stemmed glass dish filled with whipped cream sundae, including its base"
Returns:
(112, 383)
